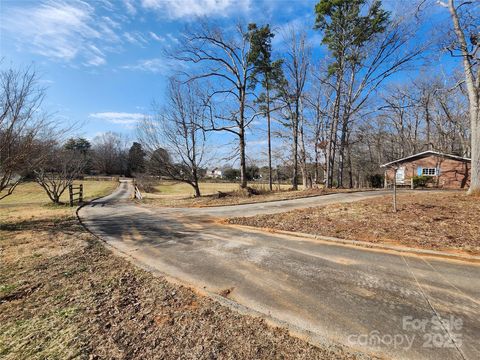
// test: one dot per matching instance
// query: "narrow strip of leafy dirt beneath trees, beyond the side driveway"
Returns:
(239, 197)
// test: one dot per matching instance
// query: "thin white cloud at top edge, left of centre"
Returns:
(176, 9)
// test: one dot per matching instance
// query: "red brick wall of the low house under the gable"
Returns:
(454, 174)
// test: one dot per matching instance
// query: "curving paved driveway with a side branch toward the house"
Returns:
(375, 301)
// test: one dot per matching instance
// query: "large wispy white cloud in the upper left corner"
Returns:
(60, 30)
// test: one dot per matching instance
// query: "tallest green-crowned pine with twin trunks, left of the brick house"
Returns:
(347, 28)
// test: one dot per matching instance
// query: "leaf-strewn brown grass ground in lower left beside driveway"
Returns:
(64, 295)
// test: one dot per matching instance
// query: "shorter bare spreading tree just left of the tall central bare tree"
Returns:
(174, 138)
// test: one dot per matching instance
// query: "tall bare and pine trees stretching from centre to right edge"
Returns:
(341, 115)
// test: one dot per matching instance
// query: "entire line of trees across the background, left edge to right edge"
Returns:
(337, 117)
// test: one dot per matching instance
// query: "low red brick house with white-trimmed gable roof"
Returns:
(448, 171)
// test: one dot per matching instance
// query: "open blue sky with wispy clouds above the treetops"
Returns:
(102, 60)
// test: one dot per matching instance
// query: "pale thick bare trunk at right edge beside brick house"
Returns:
(470, 54)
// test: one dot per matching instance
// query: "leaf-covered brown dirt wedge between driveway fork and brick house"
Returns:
(440, 221)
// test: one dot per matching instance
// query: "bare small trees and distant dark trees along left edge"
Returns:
(32, 145)
